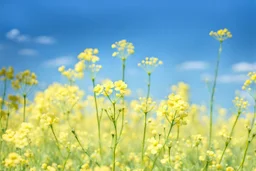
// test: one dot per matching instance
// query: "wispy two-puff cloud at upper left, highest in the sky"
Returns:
(17, 36)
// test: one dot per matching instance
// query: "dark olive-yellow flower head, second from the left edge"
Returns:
(24, 81)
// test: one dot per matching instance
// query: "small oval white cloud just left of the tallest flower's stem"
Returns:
(193, 65)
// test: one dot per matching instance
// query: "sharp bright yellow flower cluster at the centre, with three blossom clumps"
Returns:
(108, 88)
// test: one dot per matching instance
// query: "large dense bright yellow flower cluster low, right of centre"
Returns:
(175, 109)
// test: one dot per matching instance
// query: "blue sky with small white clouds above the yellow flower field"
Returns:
(52, 33)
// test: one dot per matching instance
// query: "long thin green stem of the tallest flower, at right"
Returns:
(213, 93)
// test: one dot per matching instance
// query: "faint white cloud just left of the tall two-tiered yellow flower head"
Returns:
(56, 62)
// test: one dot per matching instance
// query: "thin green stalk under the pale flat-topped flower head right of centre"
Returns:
(145, 119)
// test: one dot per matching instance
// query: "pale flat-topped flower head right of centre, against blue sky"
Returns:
(149, 64)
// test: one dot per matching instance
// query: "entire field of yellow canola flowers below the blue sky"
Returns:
(60, 131)
